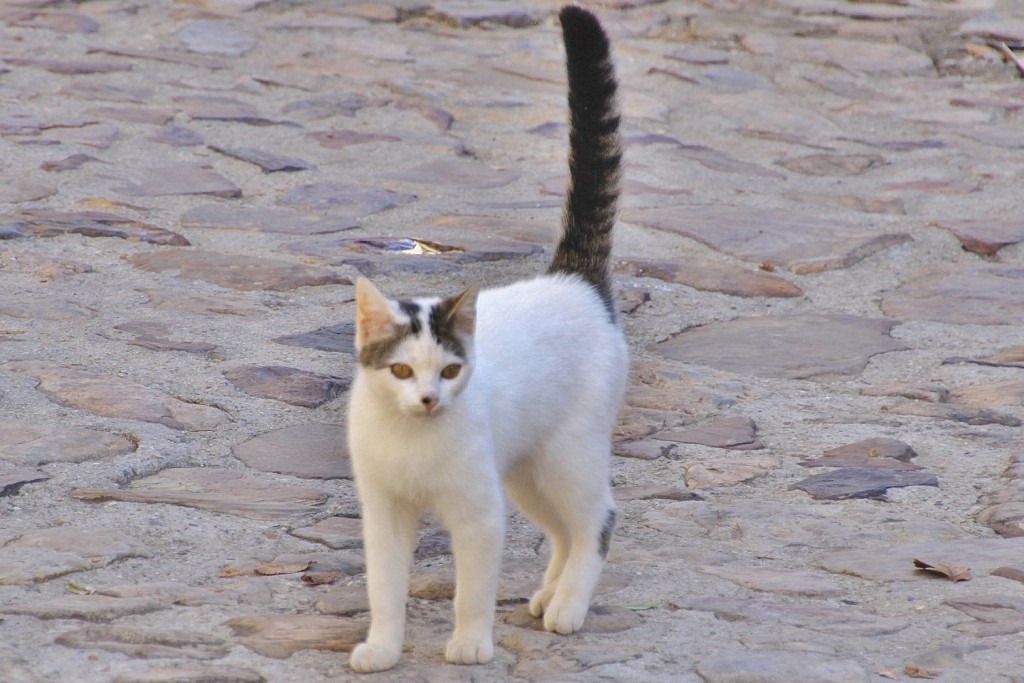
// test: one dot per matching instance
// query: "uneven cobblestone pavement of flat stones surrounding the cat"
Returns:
(822, 271)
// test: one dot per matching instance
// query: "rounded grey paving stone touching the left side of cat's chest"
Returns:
(315, 451)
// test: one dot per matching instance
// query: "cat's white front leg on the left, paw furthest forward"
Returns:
(389, 536)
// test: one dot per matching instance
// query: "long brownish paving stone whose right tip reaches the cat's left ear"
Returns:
(238, 273)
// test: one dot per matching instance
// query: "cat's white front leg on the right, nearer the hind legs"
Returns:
(478, 531)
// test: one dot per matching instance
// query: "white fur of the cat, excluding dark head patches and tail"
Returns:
(534, 409)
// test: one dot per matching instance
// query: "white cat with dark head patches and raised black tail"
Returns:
(519, 387)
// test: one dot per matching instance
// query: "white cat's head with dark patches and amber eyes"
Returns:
(417, 354)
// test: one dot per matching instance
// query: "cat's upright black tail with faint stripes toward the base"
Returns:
(595, 155)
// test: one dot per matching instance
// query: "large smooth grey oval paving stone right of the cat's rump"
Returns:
(821, 349)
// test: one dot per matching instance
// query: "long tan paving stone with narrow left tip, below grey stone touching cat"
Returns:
(217, 490)
